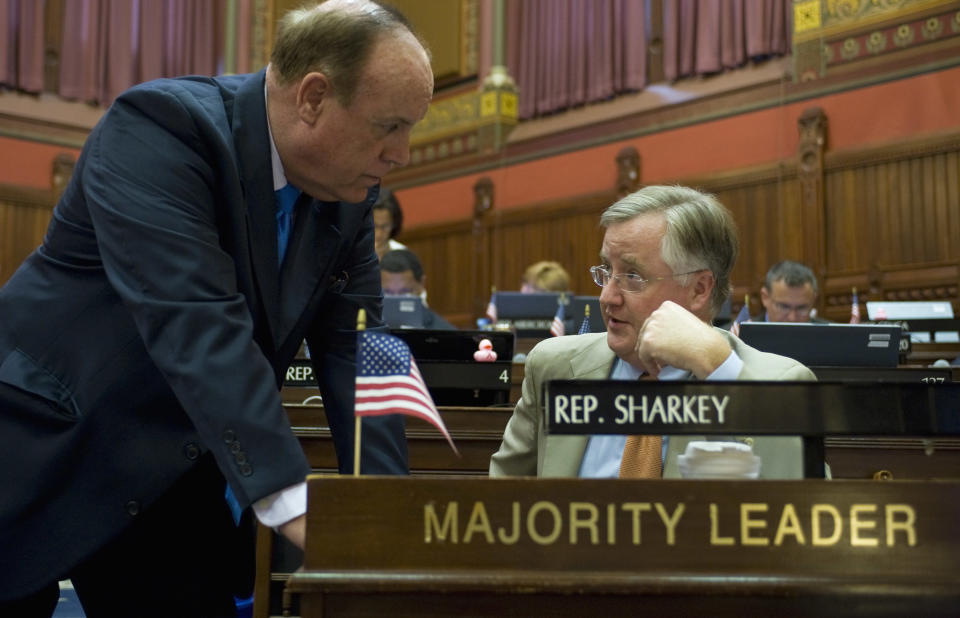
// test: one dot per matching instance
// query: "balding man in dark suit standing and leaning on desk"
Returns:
(142, 346)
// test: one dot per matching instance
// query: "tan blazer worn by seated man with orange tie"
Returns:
(526, 450)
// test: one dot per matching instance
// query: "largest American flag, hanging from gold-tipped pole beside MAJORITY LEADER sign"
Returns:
(389, 382)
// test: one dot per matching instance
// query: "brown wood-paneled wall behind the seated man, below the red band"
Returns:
(884, 219)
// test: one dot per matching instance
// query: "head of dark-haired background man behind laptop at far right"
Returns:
(789, 294)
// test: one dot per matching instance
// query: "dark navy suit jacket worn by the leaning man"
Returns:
(152, 326)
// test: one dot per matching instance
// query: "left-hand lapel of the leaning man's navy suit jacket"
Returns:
(252, 141)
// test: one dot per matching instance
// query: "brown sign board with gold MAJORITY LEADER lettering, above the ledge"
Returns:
(812, 527)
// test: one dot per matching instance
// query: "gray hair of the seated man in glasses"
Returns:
(701, 233)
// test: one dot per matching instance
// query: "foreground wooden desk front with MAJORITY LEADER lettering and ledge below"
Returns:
(552, 547)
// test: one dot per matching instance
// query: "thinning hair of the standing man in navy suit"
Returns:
(335, 39)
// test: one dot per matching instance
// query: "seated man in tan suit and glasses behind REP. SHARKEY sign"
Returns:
(666, 259)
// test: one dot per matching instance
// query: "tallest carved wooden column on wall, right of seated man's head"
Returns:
(813, 138)
